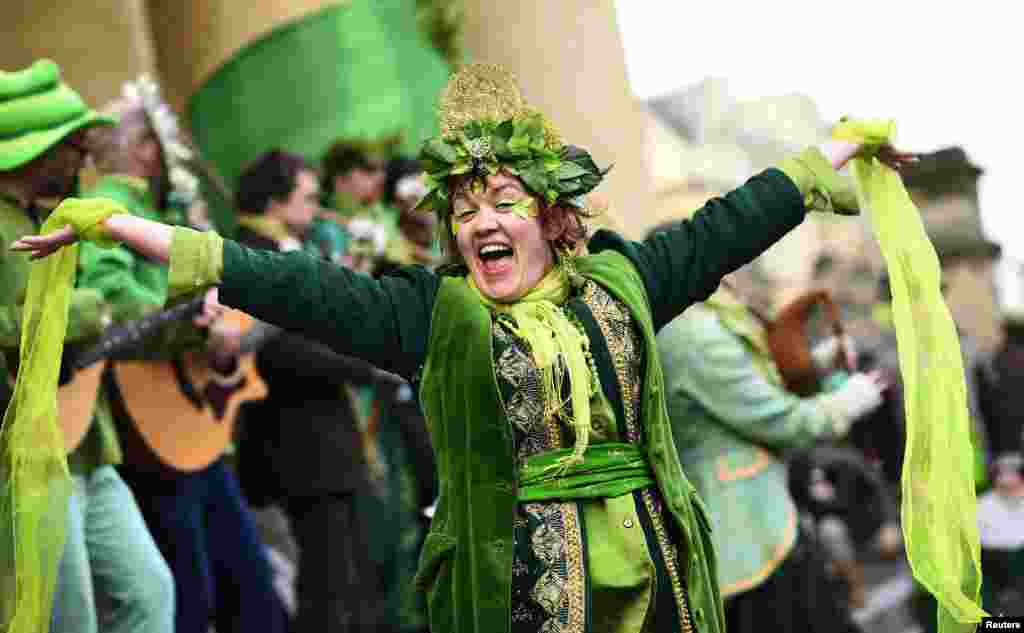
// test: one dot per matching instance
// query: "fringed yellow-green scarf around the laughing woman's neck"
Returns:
(560, 350)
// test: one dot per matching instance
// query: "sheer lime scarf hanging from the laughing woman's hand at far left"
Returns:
(36, 484)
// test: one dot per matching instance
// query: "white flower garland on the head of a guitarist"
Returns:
(144, 95)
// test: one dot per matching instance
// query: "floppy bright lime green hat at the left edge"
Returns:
(37, 111)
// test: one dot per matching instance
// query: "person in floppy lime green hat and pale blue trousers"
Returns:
(109, 553)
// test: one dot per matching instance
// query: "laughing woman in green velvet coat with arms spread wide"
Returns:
(564, 507)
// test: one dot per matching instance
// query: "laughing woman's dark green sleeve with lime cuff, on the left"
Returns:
(386, 321)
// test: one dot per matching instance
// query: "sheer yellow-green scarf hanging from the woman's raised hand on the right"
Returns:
(940, 509)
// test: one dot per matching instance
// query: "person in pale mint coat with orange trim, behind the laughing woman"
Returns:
(733, 418)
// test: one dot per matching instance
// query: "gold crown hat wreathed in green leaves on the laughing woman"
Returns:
(487, 126)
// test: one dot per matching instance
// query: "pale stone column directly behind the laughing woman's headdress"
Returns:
(570, 61)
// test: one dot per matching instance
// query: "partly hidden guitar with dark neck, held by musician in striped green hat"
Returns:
(77, 399)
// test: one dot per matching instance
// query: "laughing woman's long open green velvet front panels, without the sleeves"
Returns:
(467, 558)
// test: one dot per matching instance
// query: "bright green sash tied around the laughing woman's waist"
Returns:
(608, 471)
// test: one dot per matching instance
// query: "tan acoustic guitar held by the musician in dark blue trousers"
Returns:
(183, 412)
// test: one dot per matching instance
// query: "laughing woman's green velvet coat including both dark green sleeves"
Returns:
(415, 323)
